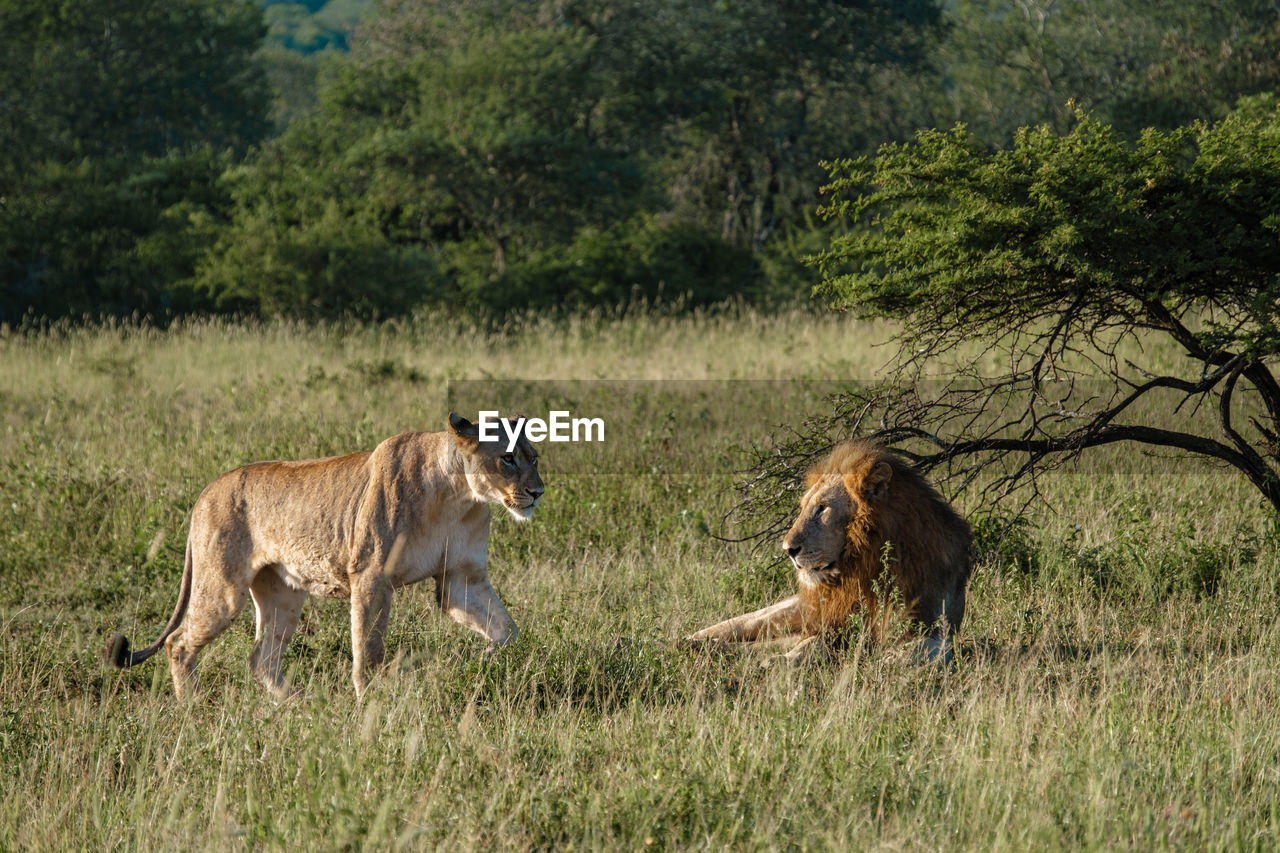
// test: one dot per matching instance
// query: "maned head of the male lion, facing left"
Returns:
(840, 503)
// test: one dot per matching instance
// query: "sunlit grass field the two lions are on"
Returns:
(1119, 683)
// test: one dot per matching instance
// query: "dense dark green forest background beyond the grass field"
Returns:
(368, 158)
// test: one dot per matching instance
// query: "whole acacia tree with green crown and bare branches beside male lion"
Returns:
(1035, 289)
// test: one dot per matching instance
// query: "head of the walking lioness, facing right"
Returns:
(497, 475)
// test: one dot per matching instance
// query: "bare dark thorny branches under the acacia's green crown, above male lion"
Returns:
(1003, 434)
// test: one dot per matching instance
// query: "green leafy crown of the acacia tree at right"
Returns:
(1084, 220)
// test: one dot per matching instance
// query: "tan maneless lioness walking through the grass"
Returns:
(348, 527)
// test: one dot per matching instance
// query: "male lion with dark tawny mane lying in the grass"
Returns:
(867, 517)
